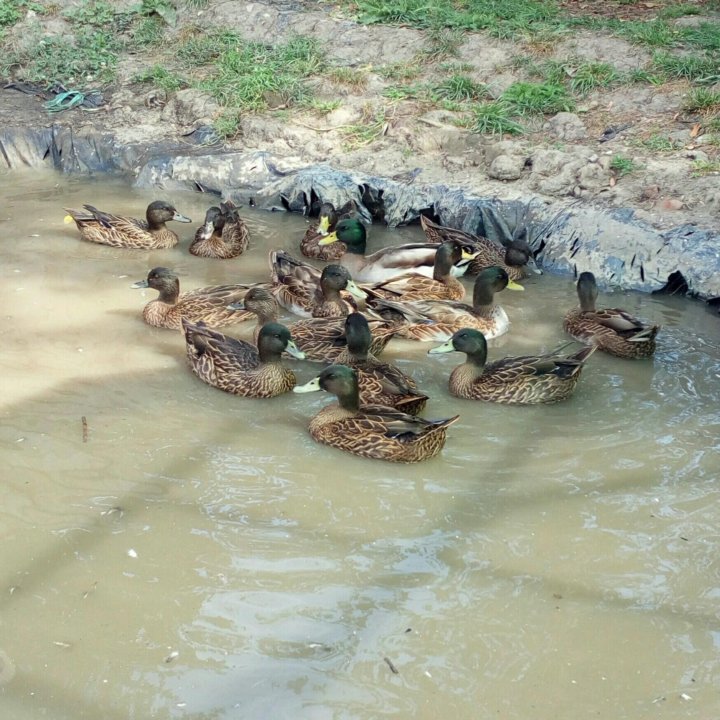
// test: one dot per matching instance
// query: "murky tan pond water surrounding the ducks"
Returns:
(193, 554)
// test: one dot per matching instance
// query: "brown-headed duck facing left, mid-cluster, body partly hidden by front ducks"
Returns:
(320, 339)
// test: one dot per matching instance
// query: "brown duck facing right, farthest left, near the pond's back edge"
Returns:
(118, 231)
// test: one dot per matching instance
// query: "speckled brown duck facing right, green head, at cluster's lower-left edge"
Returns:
(237, 367)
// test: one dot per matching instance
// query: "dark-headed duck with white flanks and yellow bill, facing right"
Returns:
(437, 320)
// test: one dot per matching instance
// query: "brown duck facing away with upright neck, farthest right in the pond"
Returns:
(612, 330)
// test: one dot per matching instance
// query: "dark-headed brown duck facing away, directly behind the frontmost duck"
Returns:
(380, 383)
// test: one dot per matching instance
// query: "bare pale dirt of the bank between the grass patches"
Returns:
(565, 157)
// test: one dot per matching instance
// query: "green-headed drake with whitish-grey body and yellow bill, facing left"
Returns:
(383, 264)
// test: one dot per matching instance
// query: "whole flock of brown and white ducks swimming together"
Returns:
(351, 309)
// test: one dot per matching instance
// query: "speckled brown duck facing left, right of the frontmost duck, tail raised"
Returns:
(526, 380)
